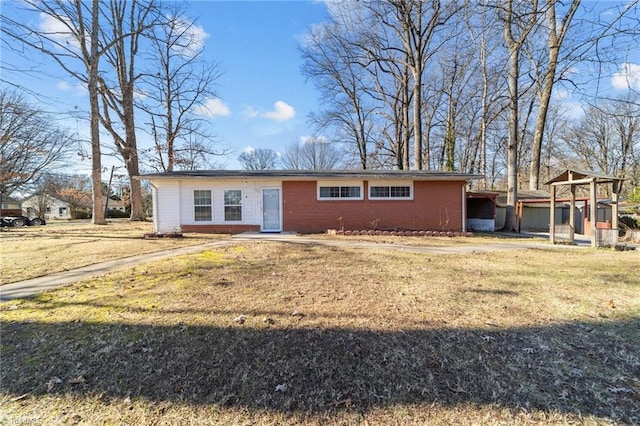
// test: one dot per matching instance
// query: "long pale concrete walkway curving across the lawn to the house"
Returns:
(33, 286)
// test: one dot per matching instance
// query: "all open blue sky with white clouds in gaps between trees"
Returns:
(263, 100)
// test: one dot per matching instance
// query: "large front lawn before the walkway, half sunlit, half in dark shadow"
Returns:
(280, 333)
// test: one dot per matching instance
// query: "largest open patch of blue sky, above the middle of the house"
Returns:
(256, 45)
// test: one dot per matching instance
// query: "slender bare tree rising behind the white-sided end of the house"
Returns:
(177, 86)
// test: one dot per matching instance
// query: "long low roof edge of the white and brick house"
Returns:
(312, 174)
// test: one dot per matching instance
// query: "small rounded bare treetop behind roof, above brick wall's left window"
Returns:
(314, 153)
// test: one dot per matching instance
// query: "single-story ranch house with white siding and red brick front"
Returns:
(307, 201)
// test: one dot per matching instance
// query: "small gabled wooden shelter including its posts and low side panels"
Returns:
(600, 236)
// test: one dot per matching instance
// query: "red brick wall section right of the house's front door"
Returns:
(436, 205)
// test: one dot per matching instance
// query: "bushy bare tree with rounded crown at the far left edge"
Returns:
(30, 146)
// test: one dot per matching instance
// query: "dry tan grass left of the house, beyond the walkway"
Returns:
(31, 252)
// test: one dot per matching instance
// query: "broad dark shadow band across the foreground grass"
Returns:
(575, 368)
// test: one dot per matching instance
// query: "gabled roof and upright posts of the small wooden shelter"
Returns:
(575, 178)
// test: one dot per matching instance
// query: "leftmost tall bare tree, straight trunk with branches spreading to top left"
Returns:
(74, 45)
